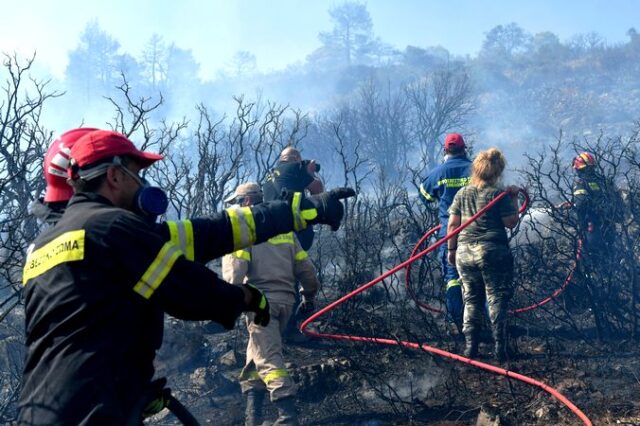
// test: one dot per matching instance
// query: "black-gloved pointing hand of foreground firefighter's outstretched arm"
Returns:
(324, 208)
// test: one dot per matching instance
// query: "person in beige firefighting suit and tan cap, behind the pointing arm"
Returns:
(274, 267)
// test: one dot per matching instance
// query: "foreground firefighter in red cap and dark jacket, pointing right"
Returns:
(97, 284)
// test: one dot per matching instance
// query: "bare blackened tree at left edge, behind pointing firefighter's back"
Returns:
(23, 142)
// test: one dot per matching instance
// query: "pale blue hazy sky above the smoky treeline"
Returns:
(280, 32)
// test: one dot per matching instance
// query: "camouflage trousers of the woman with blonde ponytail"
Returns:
(486, 270)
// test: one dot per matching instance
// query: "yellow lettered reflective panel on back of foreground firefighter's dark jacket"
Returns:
(68, 247)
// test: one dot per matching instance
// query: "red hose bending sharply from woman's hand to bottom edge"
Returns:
(425, 347)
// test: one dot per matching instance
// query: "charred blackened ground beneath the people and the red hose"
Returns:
(365, 384)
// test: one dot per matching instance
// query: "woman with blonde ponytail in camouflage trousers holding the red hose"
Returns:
(481, 251)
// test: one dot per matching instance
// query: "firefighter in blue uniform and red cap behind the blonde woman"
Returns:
(441, 185)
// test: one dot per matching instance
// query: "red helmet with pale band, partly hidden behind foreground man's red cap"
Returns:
(56, 162)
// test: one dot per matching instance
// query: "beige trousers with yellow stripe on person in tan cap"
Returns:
(264, 367)
